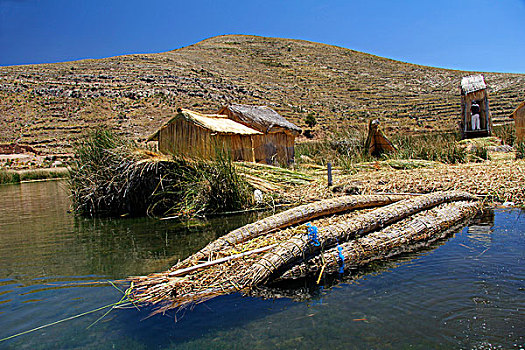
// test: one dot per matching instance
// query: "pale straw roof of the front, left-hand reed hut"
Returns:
(214, 122)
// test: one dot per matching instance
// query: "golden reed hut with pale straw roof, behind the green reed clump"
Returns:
(195, 135)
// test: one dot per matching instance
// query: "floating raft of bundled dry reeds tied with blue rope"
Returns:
(316, 239)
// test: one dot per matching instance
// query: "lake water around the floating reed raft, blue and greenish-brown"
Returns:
(466, 292)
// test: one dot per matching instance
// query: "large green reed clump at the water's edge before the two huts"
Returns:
(110, 177)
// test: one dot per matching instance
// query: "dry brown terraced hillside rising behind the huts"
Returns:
(48, 106)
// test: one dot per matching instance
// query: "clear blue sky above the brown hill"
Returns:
(482, 35)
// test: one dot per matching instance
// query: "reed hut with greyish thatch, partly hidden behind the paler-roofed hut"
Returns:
(278, 140)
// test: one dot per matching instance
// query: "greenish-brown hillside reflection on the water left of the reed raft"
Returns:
(39, 238)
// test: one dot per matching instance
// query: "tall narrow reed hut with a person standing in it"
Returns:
(474, 102)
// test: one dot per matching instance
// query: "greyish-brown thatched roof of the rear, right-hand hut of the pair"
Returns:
(262, 118)
